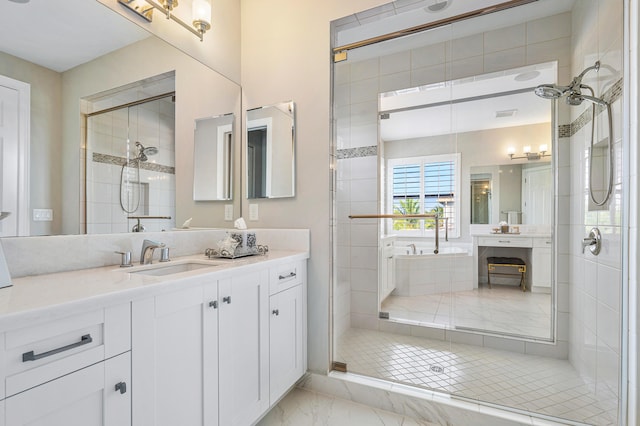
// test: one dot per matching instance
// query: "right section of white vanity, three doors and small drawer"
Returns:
(215, 353)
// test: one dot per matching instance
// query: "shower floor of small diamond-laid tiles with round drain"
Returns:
(526, 382)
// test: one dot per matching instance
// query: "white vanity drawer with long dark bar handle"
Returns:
(45, 351)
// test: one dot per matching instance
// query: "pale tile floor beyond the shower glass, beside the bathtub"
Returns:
(501, 309)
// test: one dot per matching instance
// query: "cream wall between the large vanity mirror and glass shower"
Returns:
(286, 56)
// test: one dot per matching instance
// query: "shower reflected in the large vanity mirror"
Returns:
(130, 156)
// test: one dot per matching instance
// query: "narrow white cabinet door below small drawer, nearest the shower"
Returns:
(286, 347)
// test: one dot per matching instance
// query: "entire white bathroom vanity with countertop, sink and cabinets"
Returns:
(219, 344)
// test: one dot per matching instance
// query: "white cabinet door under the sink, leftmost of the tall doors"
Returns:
(170, 345)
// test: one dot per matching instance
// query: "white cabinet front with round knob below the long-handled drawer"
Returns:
(86, 397)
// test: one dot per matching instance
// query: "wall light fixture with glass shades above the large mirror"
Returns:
(200, 13)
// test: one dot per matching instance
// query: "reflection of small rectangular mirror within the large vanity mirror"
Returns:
(213, 158)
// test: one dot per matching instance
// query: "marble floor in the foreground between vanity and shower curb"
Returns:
(306, 408)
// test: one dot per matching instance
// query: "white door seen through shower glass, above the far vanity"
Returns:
(537, 196)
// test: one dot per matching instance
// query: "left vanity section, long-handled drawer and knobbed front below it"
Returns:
(70, 371)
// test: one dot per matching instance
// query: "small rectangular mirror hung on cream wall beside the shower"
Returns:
(270, 151)
